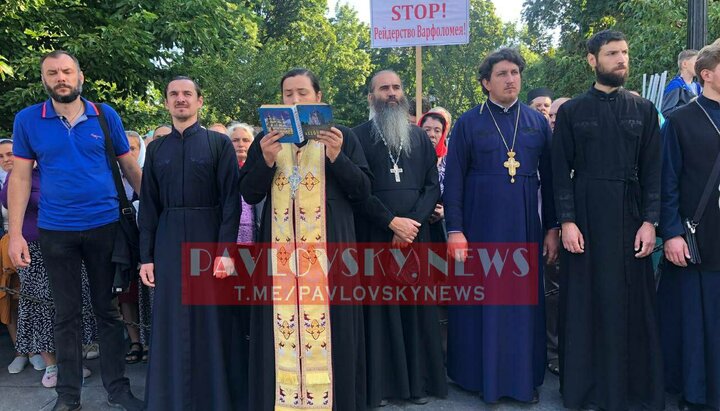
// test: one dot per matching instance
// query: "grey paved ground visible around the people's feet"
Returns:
(24, 392)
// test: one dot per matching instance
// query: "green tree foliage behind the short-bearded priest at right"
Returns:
(656, 31)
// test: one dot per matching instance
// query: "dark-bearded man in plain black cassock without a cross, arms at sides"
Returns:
(606, 168)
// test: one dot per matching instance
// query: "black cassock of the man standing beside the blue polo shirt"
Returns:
(185, 197)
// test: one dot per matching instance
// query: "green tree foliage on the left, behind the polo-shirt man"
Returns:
(237, 50)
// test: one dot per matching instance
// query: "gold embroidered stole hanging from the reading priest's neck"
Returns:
(301, 329)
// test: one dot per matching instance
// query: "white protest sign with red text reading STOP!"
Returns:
(403, 23)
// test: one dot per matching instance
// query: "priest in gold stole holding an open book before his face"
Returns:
(334, 161)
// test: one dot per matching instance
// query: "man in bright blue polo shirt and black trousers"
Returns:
(78, 217)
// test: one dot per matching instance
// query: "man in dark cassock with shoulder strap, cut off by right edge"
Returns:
(689, 293)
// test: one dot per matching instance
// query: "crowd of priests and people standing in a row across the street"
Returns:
(592, 180)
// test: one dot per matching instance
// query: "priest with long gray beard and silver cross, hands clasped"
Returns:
(404, 352)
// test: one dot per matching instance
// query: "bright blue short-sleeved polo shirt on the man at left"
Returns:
(76, 187)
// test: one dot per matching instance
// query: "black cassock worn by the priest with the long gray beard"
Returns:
(403, 343)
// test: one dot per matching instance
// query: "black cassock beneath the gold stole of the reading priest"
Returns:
(347, 181)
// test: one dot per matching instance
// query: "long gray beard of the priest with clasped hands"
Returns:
(392, 121)
